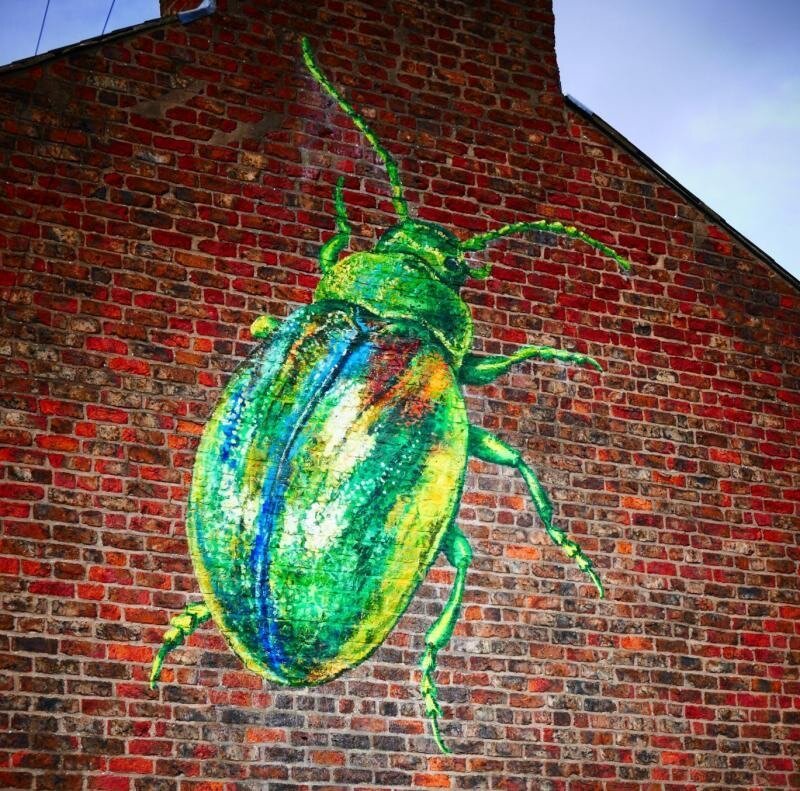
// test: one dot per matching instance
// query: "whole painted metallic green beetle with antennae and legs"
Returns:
(328, 478)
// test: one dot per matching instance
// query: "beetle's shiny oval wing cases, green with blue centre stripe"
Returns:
(325, 480)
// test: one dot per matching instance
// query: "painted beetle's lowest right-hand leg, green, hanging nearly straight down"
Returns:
(457, 551)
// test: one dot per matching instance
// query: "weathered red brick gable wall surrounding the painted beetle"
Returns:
(162, 191)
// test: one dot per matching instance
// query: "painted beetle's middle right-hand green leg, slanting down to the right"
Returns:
(486, 447)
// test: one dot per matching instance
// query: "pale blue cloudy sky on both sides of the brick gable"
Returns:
(709, 89)
